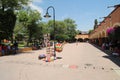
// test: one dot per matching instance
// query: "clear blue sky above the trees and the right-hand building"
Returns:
(84, 12)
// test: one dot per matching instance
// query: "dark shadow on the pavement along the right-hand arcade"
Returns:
(109, 55)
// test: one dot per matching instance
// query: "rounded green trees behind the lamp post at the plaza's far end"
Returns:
(64, 30)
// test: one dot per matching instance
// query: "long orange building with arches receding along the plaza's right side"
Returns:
(113, 19)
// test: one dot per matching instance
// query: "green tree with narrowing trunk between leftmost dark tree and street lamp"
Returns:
(29, 19)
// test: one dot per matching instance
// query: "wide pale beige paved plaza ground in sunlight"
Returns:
(76, 62)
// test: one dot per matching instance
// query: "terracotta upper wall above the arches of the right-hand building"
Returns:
(110, 21)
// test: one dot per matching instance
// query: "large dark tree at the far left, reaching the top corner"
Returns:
(7, 16)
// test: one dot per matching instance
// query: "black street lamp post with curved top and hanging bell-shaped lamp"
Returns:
(48, 16)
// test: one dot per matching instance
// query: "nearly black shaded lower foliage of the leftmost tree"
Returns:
(7, 23)
